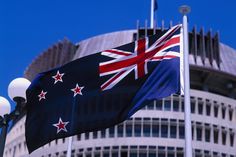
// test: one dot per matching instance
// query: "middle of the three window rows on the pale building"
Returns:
(164, 128)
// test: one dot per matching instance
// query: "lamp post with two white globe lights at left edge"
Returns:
(16, 91)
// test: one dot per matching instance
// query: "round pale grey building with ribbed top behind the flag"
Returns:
(157, 129)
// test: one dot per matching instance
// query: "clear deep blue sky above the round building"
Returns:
(27, 27)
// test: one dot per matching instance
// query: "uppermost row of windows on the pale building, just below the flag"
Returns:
(198, 106)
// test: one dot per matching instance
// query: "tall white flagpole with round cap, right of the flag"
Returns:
(187, 109)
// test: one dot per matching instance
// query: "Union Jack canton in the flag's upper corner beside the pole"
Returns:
(124, 62)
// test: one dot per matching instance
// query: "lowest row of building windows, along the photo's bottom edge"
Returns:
(139, 151)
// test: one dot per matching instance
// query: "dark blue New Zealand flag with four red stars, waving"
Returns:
(103, 89)
